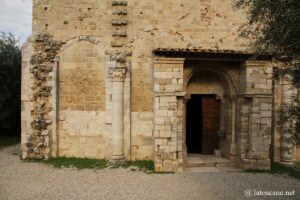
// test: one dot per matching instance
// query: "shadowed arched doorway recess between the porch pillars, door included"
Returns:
(212, 86)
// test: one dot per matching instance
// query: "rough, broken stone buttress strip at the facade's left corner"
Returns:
(41, 65)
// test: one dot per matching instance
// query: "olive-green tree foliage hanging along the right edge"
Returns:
(274, 27)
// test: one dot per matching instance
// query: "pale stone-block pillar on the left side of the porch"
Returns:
(168, 114)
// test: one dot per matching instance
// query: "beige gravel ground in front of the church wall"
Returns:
(19, 180)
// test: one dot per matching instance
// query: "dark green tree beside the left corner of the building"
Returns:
(10, 84)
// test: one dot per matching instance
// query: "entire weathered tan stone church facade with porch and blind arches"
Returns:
(149, 80)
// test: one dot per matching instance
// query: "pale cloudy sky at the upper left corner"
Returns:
(16, 17)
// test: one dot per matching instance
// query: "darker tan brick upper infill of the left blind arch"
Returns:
(82, 77)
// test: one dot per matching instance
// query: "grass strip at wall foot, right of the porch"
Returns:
(277, 168)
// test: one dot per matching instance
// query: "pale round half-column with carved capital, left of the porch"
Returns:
(118, 79)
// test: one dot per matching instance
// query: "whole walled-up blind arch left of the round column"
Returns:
(81, 76)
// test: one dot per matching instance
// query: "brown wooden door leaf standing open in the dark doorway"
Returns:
(210, 114)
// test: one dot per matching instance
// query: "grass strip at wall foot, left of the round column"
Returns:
(78, 163)
